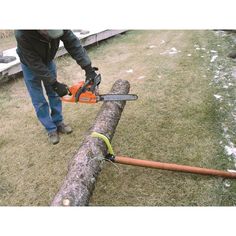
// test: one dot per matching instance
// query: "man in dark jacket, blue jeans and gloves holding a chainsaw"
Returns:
(37, 50)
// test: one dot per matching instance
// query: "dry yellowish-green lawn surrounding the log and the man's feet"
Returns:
(176, 119)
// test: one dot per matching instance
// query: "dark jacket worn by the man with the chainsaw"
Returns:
(35, 51)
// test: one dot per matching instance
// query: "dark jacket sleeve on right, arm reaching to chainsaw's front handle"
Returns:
(75, 49)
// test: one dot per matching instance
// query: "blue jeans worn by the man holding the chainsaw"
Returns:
(49, 114)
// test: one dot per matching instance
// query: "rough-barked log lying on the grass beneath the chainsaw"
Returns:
(84, 168)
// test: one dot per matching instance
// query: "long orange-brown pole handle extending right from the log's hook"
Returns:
(173, 167)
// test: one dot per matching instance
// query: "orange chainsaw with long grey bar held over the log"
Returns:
(87, 92)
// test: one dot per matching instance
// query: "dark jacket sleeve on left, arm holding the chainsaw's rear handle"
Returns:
(32, 59)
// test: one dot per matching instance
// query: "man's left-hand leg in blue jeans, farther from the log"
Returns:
(40, 104)
